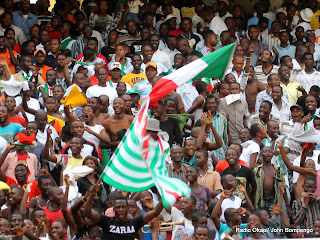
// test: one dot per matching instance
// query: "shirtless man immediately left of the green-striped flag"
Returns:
(117, 122)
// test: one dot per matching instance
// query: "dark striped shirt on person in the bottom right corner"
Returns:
(306, 217)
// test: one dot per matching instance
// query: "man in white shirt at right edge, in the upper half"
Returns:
(308, 76)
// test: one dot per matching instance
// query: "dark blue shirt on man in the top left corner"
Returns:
(24, 24)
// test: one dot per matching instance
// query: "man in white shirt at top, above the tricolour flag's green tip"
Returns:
(217, 25)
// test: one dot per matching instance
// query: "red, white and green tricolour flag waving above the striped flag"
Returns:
(210, 66)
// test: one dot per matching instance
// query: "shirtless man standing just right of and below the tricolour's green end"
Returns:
(252, 89)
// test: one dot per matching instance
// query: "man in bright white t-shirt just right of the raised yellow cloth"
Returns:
(101, 88)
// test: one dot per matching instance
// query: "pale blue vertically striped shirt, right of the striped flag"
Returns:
(220, 124)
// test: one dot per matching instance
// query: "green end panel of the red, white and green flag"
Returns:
(217, 63)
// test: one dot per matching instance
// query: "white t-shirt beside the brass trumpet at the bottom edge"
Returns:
(177, 216)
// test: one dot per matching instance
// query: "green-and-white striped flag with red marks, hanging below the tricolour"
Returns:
(138, 163)
